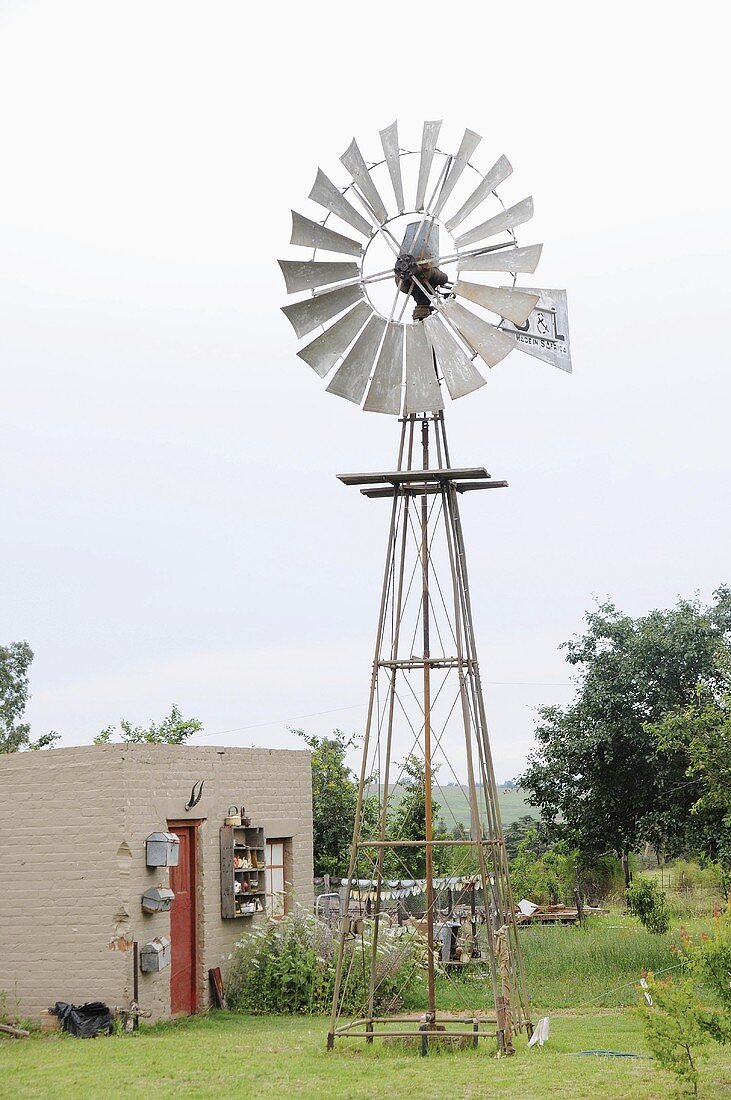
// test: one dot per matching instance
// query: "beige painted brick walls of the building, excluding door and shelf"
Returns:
(73, 824)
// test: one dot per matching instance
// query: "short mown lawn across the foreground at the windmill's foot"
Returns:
(225, 1055)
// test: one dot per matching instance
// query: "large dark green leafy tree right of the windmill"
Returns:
(601, 777)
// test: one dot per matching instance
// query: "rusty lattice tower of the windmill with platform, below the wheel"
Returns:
(427, 701)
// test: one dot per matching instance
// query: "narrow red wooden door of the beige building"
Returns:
(184, 948)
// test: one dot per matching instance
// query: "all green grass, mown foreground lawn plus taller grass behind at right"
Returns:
(580, 977)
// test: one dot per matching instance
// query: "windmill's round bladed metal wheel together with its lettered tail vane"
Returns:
(383, 307)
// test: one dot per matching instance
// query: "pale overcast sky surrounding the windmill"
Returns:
(172, 526)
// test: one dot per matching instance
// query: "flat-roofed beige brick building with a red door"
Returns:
(74, 867)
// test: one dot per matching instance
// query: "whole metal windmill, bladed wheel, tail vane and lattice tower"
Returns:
(449, 222)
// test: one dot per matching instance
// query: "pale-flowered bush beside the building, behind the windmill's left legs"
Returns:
(289, 967)
